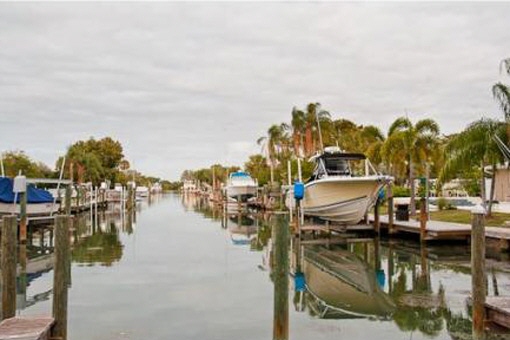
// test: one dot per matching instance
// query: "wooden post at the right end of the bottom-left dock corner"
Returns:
(60, 278)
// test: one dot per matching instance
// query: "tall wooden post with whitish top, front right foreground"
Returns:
(478, 271)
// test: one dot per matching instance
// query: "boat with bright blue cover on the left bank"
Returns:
(39, 201)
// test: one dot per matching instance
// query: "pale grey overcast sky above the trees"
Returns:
(186, 85)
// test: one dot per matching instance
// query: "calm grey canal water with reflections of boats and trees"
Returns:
(181, 270)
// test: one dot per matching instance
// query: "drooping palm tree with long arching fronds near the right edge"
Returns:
(475, 148)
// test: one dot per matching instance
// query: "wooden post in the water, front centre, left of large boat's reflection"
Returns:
(281, 280)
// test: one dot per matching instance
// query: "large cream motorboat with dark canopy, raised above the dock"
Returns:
(336, 193)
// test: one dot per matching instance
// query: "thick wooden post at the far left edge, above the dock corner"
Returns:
(9, 229)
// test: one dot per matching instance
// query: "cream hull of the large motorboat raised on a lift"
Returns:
(341, 200)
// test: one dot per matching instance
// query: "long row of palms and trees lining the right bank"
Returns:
(407, 151)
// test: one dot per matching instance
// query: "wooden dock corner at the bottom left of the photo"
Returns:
(26, 328)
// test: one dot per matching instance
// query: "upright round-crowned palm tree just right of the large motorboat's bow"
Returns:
(411, 145)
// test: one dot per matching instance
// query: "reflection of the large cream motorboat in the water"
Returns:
(342, 286)
